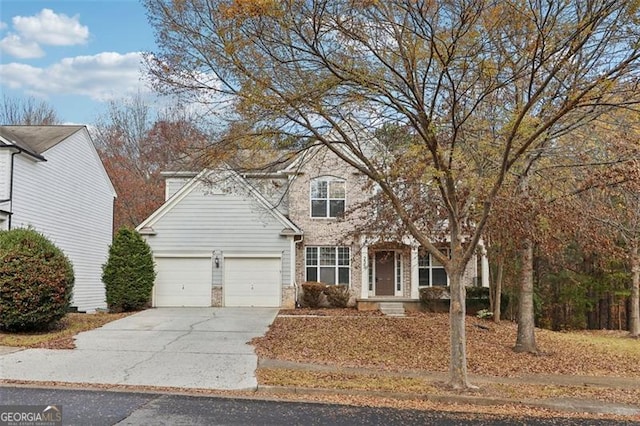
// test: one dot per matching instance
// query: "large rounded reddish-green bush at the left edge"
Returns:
(36, 281)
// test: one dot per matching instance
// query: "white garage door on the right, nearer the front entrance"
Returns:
(252, 282)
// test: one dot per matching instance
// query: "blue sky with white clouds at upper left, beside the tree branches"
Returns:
(74, 54)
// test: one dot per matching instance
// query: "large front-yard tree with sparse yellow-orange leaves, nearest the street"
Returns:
(480, 83)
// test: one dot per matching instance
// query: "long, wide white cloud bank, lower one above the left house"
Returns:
(101, 77)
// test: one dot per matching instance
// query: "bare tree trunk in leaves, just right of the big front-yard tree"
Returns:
(526, 339)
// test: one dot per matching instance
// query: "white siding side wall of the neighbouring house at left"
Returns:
(69, 199)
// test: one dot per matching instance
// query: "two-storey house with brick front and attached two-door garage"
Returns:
(228, 239)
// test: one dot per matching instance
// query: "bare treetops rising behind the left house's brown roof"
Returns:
(26, 111)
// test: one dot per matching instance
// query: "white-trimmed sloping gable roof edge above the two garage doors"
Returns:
(289, 228)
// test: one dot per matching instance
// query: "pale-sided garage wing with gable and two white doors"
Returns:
(217, 241)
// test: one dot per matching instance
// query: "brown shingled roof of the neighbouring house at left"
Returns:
(35, 140)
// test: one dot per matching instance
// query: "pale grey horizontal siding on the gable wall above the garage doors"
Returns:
(209, 220)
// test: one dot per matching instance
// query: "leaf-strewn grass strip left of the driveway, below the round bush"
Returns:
(61, 336)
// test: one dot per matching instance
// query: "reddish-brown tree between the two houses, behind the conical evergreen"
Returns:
(136, 145)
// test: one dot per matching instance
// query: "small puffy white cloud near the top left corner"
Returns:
(45, 28)
